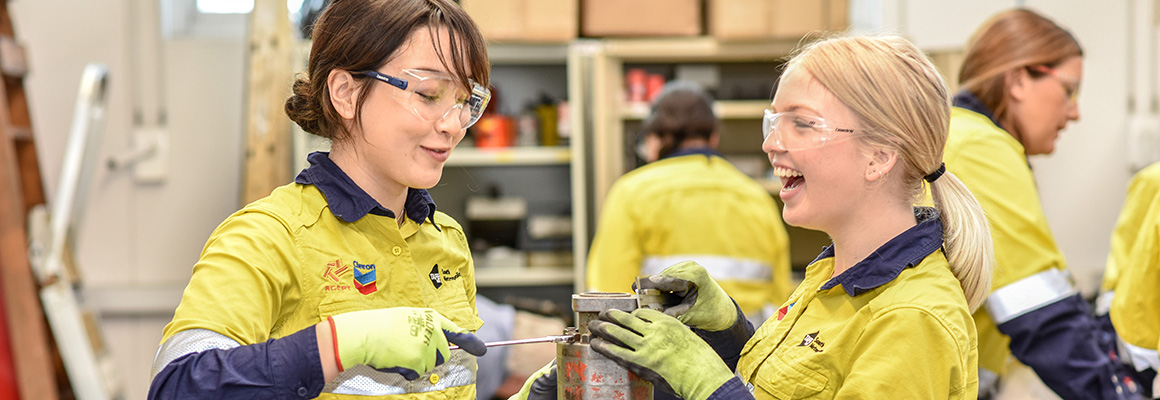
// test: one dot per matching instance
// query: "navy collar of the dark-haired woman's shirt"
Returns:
(349, 202)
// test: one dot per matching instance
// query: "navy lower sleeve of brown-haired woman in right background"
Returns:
(1060, 343)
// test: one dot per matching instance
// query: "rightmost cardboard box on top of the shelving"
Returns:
(739, 20)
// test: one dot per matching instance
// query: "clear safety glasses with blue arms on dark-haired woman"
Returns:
(436, 97)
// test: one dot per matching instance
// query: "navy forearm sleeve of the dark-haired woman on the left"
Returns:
(286, 368)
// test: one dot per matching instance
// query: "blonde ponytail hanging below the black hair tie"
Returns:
(967, 237)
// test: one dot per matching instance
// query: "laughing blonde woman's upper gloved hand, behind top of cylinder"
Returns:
(705, 304)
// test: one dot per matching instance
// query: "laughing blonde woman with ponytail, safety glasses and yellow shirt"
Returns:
(857, 132)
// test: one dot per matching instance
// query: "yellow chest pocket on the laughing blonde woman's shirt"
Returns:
(786, 381)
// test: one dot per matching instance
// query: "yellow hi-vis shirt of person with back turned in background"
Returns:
(700, 208)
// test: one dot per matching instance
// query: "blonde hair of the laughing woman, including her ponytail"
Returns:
(903, 105)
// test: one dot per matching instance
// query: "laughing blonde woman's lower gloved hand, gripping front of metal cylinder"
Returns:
(661, 350)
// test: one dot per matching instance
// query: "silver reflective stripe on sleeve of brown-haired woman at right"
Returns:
(1028, 295)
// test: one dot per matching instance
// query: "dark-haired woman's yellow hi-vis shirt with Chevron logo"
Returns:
(286, 263)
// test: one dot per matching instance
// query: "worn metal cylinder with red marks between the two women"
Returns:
(585, 375)
